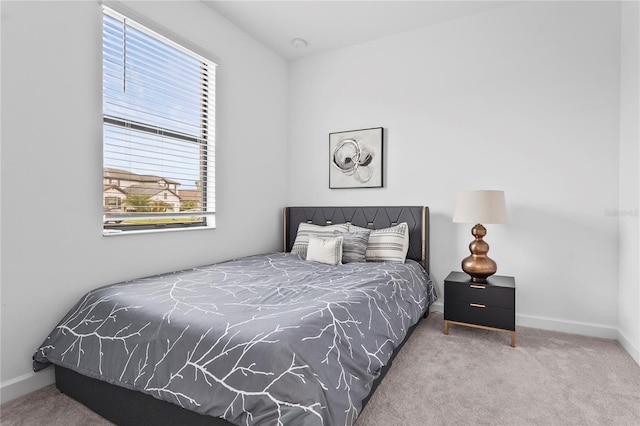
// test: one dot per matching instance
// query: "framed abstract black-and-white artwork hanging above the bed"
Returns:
(356, 158)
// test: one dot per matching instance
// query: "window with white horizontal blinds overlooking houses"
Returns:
(158, 130)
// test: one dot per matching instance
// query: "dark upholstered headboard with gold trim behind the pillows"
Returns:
(417, 218)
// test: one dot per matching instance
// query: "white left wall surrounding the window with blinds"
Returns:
(52, 245)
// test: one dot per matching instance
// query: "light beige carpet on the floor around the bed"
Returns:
(470, 377)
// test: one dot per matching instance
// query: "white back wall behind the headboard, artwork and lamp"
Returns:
(523, 98)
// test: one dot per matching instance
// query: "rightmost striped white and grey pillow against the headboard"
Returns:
(387, 244)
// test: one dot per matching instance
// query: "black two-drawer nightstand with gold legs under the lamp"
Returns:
(490, 305)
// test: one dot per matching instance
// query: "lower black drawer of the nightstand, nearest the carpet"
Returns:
(487, 316)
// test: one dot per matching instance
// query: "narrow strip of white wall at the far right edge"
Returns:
(629, 291)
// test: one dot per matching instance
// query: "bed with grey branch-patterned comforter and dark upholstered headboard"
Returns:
(265, 339)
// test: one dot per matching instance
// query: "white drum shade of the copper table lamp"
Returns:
(480, 207)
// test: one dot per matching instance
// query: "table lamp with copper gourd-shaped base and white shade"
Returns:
(479, 207)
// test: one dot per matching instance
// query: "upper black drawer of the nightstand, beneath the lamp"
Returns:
(485, 294)
